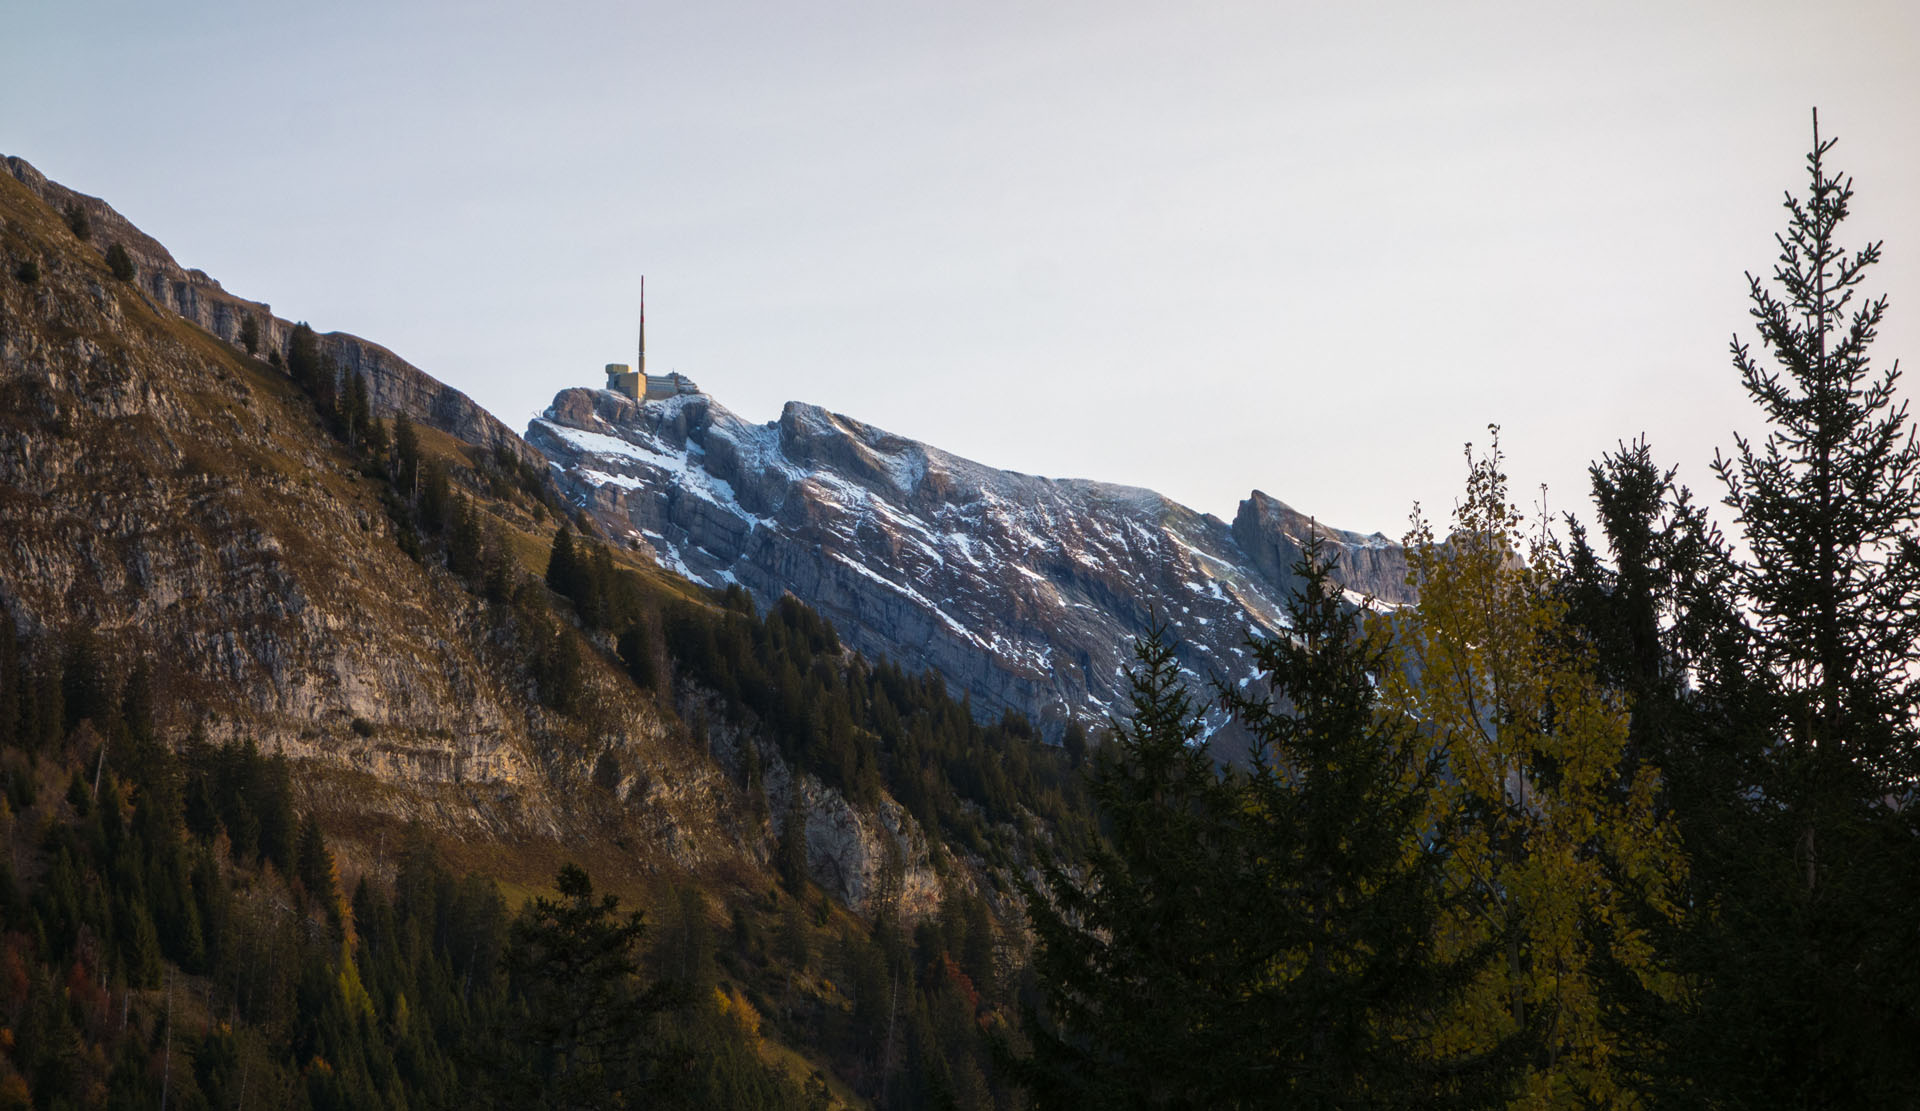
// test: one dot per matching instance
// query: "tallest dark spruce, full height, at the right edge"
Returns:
(1808, 978)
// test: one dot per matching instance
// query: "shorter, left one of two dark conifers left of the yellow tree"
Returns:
(1140, 962)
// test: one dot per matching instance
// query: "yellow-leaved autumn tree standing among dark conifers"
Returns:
(1545, 828)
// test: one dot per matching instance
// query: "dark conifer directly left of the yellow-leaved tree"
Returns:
(1351, 878)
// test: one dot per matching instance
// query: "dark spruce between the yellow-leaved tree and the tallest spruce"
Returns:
(1668, 636)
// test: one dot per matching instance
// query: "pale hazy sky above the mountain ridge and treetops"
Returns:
(1203, 248)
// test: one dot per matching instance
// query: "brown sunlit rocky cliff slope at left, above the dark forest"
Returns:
(183, 506)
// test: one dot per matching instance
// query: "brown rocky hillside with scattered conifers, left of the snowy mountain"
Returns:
(310, 559)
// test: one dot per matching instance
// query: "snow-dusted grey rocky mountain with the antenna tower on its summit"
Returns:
(1022, 592)
